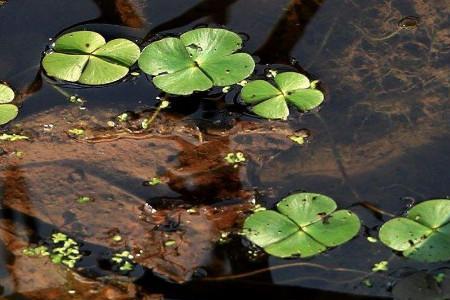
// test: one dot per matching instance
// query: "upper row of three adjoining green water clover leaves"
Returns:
(195, 61)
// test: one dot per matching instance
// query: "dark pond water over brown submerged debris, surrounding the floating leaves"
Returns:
(378, 145)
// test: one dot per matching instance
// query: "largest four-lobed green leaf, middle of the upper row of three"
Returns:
(196, 61)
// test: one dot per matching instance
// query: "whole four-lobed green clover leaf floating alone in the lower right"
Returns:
(305, 224)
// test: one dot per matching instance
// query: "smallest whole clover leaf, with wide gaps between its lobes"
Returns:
(271, 101)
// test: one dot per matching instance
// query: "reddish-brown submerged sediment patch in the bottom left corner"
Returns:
(58, 282)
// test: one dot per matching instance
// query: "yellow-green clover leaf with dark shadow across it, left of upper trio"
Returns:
(85, 57)
